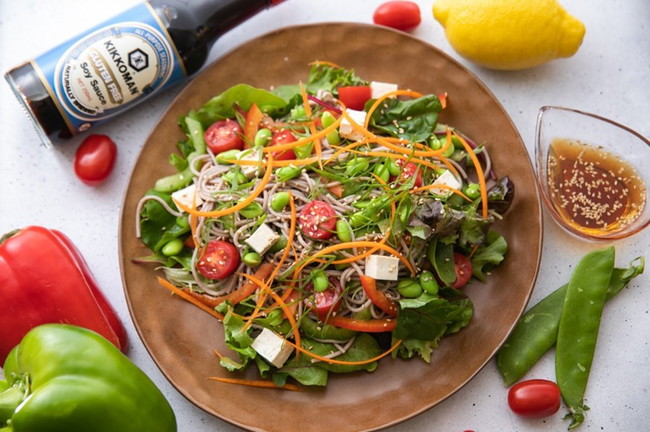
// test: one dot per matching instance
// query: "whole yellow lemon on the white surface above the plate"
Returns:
(509, 34)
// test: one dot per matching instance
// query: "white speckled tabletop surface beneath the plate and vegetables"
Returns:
(610, 75)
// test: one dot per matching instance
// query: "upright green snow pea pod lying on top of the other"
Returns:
(578, 330)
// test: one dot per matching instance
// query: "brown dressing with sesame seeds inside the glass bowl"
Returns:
(593, 190)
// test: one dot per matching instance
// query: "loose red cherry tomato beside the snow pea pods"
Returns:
(536, 398)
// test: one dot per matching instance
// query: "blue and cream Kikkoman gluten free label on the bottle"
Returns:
(110, 68)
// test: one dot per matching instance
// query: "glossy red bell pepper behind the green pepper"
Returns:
(44, 279)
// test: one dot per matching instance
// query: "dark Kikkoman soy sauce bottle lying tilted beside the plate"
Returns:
(122, 61)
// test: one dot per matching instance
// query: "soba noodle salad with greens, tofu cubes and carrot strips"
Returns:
(326, 224)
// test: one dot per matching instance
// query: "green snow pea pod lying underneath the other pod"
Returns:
(536, 330)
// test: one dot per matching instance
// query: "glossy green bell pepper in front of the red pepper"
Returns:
(64, 378)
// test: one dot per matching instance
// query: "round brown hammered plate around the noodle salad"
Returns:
(181, 338)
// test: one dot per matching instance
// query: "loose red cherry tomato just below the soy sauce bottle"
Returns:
(94, 159)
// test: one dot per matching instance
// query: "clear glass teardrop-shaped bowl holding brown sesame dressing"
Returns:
(593, 173)
